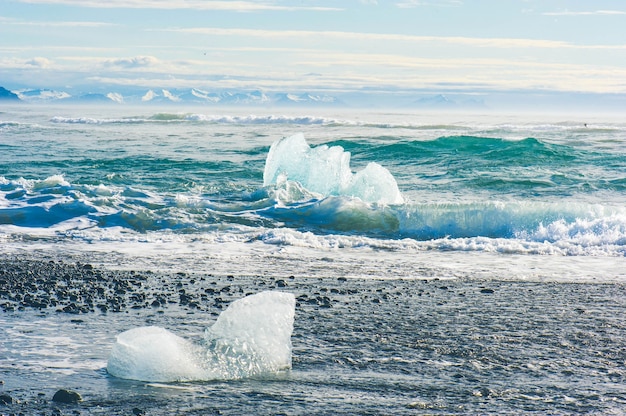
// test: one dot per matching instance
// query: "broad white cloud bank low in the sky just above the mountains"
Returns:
(328, 70)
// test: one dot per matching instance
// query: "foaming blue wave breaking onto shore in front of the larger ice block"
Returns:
(300, 218)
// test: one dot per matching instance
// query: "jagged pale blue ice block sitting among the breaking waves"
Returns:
(326, 170)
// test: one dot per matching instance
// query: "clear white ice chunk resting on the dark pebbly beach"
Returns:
(251, 337)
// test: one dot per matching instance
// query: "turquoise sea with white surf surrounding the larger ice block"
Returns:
(556, 182)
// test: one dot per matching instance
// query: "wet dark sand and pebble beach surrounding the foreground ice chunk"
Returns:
(360, 346)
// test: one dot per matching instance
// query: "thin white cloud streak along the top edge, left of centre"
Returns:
(230, 5)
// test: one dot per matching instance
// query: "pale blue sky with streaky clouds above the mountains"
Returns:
(315, 45)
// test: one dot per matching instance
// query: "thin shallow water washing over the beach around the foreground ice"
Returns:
(378, 346)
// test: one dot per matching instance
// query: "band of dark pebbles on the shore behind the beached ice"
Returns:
(79, 288)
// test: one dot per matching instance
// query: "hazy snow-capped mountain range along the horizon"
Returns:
(427, 100)
